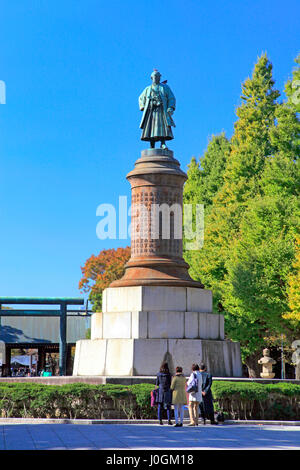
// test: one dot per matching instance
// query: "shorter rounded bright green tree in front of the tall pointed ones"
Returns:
(257, 278)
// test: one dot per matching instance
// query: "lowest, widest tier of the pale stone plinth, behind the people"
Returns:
(143, 357)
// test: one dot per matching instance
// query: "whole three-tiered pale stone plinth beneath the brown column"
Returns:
(143, 325)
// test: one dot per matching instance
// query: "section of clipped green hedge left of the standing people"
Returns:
(75, 401)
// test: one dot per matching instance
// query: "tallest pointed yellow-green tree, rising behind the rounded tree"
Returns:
(250, 146)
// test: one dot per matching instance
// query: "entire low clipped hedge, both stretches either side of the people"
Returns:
(237, 400)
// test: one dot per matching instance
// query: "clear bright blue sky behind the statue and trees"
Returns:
(69, 131)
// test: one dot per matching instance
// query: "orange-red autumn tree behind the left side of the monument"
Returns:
(99, 271)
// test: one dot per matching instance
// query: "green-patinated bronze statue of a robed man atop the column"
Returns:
(158, 104)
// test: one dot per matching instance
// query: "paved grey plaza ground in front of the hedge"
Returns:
(147, 436)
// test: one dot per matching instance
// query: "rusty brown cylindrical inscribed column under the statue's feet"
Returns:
(156, 223)
